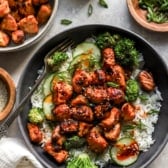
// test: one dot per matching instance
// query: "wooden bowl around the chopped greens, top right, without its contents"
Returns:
(140, 16)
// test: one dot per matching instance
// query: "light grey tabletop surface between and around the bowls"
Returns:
(76, 10)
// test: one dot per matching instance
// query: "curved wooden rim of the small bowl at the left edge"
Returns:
(11, 92)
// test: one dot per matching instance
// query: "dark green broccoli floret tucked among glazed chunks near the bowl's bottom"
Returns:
(74, 142)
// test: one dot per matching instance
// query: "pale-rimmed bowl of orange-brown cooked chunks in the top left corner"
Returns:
(24, 22)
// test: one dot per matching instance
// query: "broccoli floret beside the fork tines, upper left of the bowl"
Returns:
(56, 59)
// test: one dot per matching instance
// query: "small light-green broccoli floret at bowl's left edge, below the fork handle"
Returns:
(36, 115)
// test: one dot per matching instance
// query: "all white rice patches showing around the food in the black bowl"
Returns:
(143, 137)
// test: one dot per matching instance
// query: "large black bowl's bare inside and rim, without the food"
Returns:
(153, 62)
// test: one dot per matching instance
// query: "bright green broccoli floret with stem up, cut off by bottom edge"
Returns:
(81, 161)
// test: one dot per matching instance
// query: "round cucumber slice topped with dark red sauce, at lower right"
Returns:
(125, 151)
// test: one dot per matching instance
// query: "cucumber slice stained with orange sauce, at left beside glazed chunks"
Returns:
(48, 107)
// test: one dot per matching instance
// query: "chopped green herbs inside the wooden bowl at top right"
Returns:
(157, 10)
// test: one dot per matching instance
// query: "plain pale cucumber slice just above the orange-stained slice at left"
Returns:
(47, 85)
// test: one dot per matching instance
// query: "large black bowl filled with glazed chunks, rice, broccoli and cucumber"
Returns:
(103, 103)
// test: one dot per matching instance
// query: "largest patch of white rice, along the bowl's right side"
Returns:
(144, 137)
